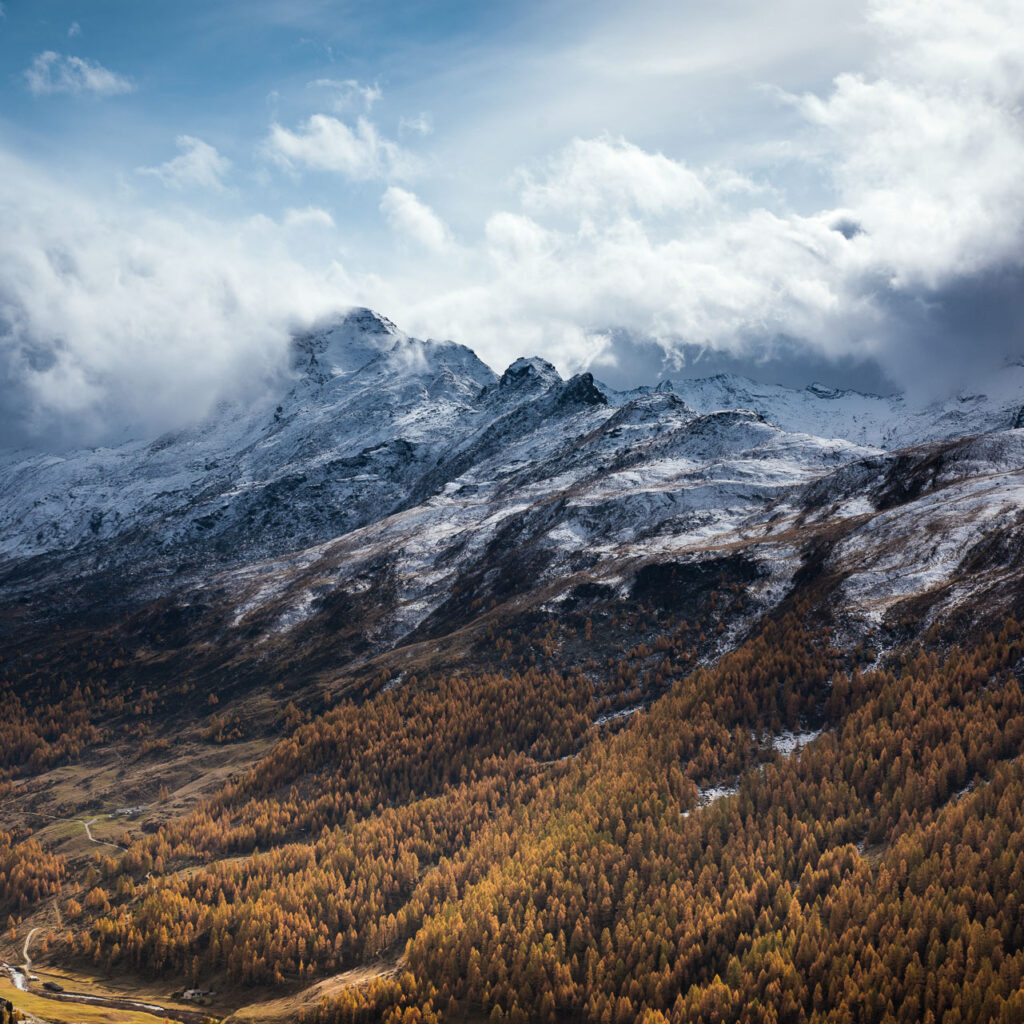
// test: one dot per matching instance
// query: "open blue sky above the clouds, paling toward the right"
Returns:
(477, 92)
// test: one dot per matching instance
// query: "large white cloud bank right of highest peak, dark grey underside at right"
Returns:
(923, 153)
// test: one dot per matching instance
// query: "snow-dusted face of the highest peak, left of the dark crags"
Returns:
(339, 447)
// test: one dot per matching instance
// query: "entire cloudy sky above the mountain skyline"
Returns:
(790, 190)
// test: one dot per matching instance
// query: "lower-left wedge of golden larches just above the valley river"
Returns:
(303, 911)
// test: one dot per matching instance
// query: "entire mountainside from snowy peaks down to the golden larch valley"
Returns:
(415, 693)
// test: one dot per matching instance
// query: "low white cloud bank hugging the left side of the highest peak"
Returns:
(115, 318)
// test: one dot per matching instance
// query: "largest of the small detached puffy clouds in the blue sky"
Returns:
(326, 144)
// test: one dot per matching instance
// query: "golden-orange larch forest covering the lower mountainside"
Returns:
(519, 862)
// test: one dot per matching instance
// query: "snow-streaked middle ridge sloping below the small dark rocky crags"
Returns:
(556, 500)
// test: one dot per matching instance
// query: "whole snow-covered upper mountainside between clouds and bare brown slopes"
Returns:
(383, 450)
